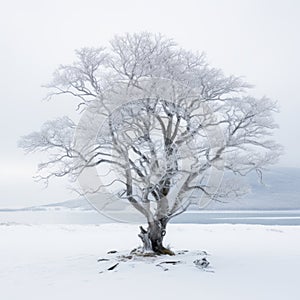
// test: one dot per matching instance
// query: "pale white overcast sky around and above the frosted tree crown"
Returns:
(258, 39)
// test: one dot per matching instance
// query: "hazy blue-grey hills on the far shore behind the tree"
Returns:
(280, 190)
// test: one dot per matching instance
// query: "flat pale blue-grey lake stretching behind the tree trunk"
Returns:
(278, 217)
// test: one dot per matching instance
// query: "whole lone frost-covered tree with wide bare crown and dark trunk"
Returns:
(157, 123)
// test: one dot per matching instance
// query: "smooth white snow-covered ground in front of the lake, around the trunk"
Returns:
(60, 262)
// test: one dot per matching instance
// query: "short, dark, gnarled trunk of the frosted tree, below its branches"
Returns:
(152, 238)
